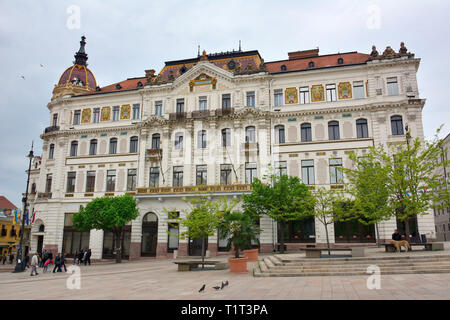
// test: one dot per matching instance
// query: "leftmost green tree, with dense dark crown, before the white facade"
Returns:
(108, 214)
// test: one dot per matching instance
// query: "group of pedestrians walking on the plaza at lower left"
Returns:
(45, 258)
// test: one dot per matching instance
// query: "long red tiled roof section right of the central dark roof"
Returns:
(319, 62)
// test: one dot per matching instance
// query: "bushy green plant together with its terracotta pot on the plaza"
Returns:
(239, 229)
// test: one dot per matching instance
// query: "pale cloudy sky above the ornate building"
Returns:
(126, 37)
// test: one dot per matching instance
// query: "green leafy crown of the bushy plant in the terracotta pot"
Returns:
(240, 230)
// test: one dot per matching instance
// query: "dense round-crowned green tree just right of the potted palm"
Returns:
(282, 198)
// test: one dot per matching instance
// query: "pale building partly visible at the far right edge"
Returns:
(442, 216)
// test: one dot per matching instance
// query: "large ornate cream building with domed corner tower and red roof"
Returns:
(211, 124)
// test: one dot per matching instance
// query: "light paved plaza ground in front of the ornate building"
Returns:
(159, 279)
